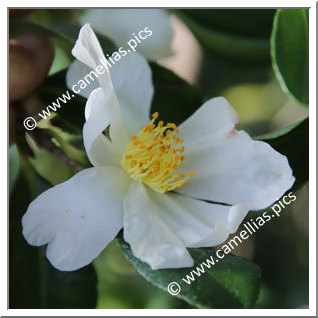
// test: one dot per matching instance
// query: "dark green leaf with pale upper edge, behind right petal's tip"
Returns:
(293, 142)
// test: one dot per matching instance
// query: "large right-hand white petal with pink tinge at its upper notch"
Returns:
(229, 166)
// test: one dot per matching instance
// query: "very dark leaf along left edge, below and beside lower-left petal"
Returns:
(24, 267)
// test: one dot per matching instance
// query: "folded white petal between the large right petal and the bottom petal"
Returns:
(198, 223)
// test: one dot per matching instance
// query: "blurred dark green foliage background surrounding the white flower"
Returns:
(258, 60)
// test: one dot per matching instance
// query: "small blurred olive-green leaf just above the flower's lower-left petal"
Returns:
(47, 165)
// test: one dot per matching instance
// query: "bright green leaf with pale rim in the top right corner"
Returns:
(289, 51)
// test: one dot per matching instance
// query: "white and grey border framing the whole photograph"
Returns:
(312, 165)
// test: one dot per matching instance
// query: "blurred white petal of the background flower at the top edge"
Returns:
(122, 25)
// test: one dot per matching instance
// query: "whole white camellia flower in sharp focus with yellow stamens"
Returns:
(136, 165)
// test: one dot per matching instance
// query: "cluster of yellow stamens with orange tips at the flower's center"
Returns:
(154, 154)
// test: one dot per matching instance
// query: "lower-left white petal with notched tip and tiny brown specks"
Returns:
(77, 218)
